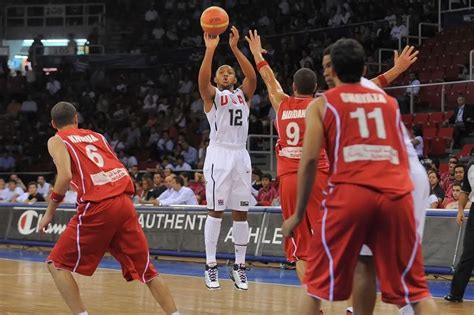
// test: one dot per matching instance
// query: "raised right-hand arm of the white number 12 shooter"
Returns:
(250, 81)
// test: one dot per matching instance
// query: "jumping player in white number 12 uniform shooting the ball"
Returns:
(227, 167)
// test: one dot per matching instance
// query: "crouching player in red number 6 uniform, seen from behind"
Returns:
(106, 219)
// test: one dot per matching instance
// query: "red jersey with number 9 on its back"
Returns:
(291, 127)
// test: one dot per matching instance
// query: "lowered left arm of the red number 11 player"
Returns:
(313, 141)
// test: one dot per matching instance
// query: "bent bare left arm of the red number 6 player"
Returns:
(61, 158)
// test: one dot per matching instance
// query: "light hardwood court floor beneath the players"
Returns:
(26, 287)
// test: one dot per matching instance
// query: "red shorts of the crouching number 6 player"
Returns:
(110, 225)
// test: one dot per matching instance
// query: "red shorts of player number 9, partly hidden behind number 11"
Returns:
(297, 246)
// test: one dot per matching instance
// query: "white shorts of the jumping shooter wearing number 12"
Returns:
(228, 174)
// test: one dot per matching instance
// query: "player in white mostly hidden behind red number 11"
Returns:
(364, 287)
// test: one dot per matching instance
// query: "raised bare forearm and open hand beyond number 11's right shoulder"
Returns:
(400, 64)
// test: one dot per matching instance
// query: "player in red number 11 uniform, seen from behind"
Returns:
(369, 191)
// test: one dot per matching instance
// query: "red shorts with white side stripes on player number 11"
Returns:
(354, 215)
